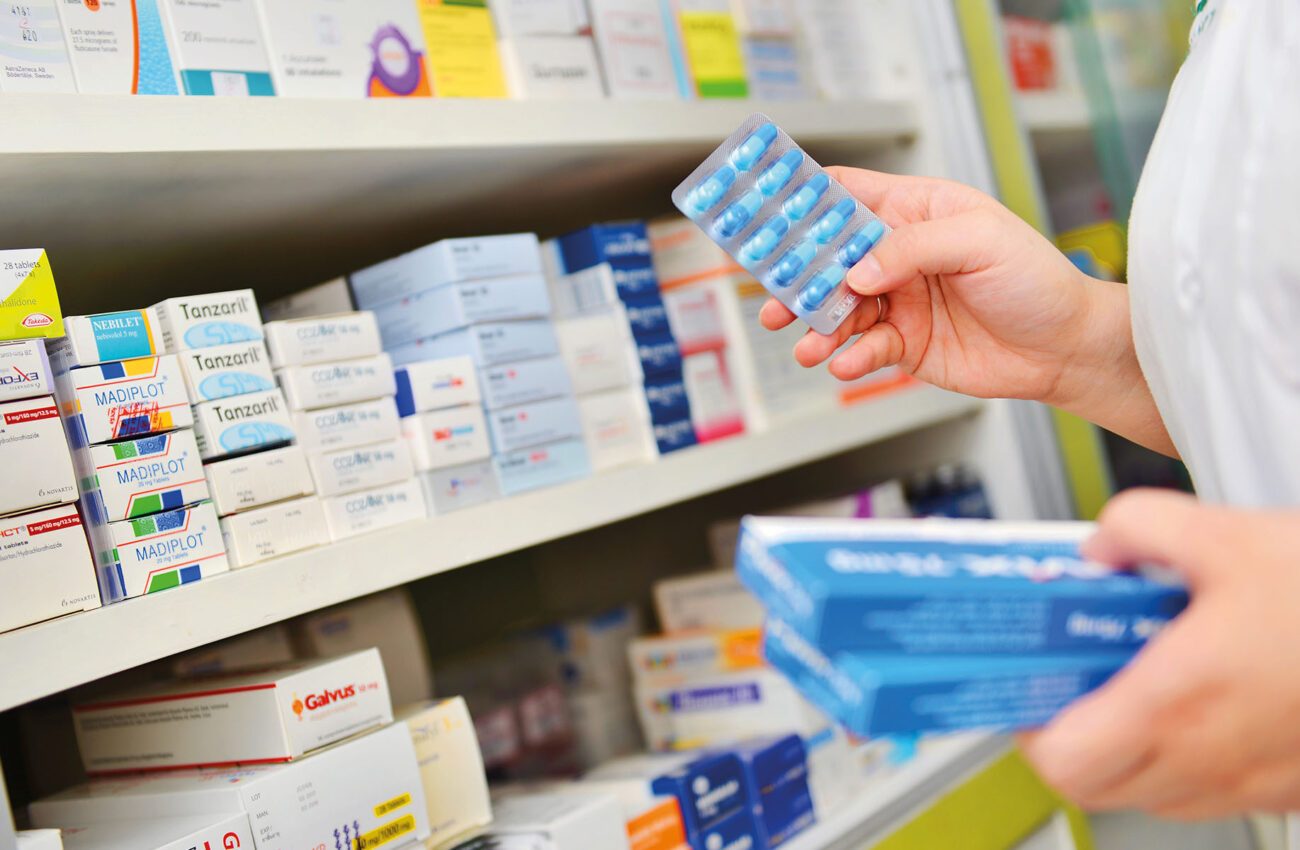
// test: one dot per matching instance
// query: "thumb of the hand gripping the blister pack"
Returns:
(939, 246)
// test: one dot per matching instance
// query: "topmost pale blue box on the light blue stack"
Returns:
(447, 262)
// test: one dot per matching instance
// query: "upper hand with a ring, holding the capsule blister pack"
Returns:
(978, 301)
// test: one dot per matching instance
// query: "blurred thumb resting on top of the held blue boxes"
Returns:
(1158, 527)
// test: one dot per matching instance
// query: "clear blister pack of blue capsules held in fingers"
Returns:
(788, 223)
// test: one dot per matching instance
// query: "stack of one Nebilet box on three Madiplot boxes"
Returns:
(128, 418)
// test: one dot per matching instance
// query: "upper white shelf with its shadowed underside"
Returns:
(289, 193)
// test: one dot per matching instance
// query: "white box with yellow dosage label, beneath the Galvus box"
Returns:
(367, 790)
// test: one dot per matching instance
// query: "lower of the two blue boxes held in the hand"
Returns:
(905, 695)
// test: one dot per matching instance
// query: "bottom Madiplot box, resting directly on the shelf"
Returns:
(158, 552)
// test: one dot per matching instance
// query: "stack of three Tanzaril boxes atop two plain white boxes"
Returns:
(242, 423)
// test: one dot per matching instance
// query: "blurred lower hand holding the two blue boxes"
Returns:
(1204, 722)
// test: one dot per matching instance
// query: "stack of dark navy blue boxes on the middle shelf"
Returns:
(625, 250)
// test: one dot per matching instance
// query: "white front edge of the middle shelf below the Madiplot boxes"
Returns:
(79, 649)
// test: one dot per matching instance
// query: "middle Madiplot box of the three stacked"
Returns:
(141, 476)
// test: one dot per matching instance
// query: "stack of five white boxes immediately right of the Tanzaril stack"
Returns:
(340, 384)
